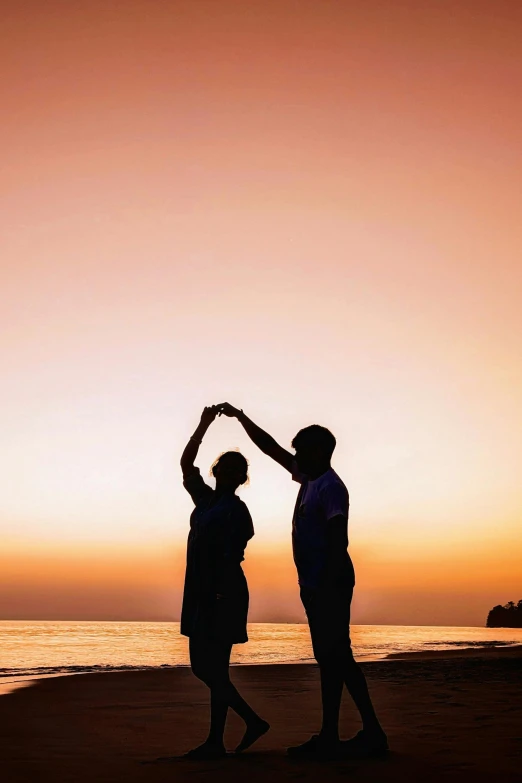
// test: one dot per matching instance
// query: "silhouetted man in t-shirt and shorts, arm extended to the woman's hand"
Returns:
(326, 580)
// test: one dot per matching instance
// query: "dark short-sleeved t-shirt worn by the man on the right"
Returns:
(318, 501)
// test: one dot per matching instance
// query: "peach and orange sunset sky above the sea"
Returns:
(311, 209)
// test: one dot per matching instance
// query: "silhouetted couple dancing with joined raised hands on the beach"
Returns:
(215, 599)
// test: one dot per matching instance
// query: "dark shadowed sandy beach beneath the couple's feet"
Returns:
(449, 717)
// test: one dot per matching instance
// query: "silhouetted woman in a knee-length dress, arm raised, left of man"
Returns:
(215, 597)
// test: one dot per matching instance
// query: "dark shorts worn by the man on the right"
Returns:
(328, 614)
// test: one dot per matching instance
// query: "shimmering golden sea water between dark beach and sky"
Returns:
(39, 648)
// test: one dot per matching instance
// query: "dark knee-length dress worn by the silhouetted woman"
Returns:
(215, 596)
